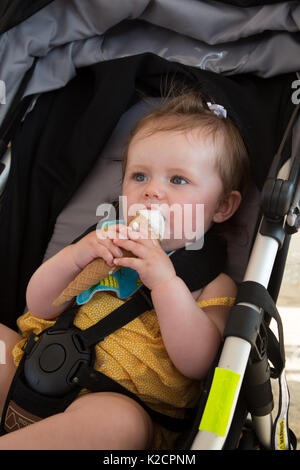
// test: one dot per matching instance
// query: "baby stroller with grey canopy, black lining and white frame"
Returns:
(71, 77)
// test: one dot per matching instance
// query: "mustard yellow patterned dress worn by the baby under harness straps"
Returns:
(134, 356)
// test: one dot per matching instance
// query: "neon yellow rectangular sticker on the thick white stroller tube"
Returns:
(220, 400)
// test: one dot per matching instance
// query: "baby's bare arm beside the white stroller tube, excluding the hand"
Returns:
(192, 335)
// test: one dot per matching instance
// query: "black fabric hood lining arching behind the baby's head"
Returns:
(58, 142)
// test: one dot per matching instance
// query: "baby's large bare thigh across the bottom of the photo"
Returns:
(95, 421)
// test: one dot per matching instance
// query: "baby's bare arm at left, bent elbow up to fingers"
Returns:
(53, 276)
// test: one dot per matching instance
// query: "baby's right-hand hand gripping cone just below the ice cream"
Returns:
(151, 262)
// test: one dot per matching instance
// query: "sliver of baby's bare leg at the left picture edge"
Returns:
(8, 339)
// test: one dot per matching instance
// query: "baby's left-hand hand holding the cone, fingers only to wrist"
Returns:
(97, 244)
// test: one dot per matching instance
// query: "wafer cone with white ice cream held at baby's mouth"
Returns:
(98, 269)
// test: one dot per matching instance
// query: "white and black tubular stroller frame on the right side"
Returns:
(278, 214)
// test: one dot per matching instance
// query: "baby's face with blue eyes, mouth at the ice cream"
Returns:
(175, 172)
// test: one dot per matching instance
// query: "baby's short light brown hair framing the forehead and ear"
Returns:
(188, 110)
